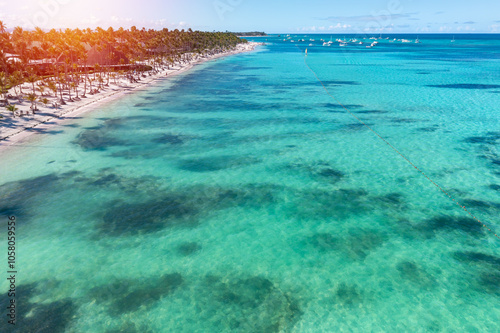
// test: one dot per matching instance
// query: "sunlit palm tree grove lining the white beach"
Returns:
(55, 63)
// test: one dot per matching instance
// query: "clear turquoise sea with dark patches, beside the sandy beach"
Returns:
(240, 197)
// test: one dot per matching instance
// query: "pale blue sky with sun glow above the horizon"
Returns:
(271, 16)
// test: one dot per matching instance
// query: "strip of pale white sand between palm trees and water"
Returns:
(15, 130)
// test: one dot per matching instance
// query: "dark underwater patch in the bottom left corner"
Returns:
(43, 317)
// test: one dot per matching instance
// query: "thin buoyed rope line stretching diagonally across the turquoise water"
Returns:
(397, 151)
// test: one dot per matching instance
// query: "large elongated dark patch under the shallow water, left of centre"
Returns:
(181, 208)
